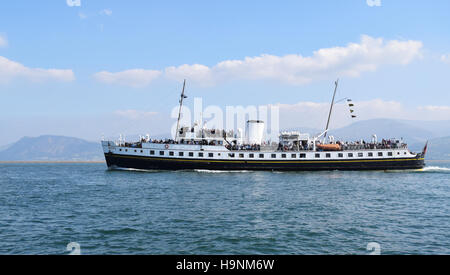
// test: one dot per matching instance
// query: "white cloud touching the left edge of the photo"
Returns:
(10, 70)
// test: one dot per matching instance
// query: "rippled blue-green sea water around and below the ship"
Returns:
(44, 207)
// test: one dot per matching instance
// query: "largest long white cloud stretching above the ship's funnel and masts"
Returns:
(324, 64)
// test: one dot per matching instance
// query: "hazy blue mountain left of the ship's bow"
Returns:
(52, 148)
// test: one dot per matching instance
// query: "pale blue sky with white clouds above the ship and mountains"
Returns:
(91, 44)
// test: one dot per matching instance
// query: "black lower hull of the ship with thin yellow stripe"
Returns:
(115, 161)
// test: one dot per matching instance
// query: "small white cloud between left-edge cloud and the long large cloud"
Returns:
(134, 78)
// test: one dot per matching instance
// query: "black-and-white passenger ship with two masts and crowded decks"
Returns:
(197, 148)
